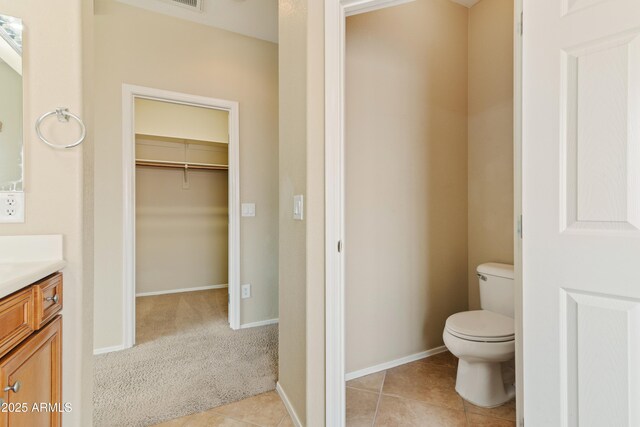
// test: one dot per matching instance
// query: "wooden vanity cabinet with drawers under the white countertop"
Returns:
(31, 372)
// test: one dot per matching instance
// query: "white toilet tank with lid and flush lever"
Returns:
(496, 288)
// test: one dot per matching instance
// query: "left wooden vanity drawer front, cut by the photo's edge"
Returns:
(16, 319)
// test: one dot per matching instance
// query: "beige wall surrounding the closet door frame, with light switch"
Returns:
(138, 47)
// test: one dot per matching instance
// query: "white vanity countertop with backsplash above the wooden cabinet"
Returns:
(27, 259)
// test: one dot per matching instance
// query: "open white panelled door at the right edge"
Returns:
(581, 208)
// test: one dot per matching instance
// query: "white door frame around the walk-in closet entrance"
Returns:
(129, 94)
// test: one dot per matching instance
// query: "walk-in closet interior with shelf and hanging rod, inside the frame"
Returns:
(181, 217)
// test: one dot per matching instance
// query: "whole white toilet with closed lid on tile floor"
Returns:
(483, 339)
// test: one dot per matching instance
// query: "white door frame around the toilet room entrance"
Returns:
(336, 13)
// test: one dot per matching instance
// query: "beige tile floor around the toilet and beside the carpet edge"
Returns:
(420, 394)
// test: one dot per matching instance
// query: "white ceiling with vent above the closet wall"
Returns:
(254, 18)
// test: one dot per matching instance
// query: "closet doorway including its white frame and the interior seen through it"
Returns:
(181, 211)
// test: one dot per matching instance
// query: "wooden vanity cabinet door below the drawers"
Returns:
(33, 371)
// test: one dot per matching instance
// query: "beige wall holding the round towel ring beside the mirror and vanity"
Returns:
(53, 76)
